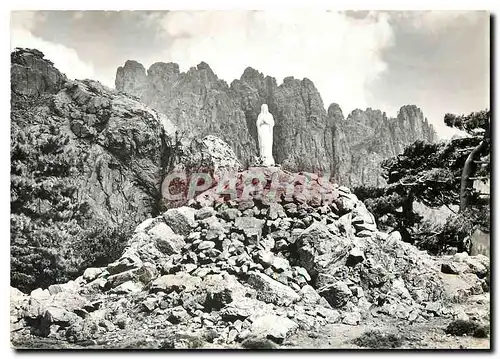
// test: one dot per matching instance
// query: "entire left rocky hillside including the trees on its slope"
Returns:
(87, 157)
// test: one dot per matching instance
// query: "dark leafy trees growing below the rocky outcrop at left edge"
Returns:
(50, 242)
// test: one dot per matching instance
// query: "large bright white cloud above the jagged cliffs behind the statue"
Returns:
(341, 55)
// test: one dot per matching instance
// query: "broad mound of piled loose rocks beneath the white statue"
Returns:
(248, 267)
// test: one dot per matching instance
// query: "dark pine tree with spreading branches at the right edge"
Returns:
(437, 174)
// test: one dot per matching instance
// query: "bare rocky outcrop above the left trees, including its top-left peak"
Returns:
(119, 144)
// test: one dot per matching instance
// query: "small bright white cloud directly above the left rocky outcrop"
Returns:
(65, 59)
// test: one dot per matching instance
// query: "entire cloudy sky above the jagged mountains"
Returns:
(437, 60)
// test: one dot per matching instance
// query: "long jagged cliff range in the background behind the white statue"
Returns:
(306, 136)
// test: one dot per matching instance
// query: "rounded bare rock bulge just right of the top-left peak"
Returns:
(125, 148)
